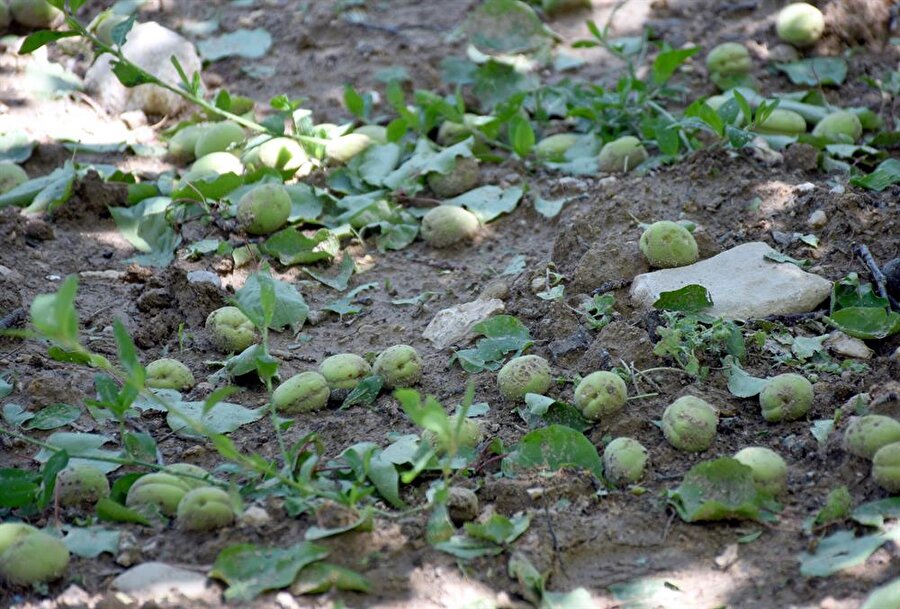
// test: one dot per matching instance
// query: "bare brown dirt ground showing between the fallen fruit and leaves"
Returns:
(579, 537)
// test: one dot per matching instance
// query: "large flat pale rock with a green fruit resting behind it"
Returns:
(743, 284)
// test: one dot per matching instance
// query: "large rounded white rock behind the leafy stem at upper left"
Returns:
(150, 46)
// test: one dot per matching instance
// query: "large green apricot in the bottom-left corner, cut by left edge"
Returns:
(35, 558)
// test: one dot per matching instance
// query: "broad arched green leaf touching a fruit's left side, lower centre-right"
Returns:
(554, 447)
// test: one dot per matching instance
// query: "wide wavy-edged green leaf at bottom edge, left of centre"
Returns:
(250, 570)
